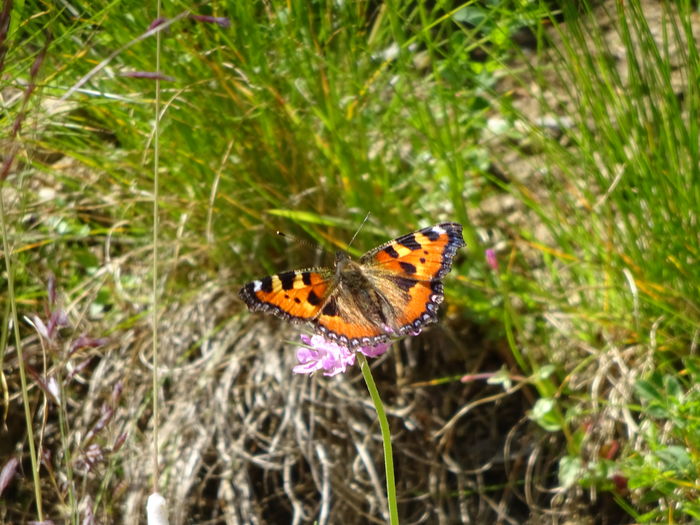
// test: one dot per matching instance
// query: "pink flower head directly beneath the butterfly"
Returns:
(321, 354)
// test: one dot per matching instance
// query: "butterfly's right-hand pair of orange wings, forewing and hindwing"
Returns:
(408, 272)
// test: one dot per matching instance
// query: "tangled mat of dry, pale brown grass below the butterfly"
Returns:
(243, 440)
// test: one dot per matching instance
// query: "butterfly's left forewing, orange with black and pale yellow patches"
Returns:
(296, 296)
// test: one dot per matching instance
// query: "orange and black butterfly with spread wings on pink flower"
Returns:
(393, 290)
